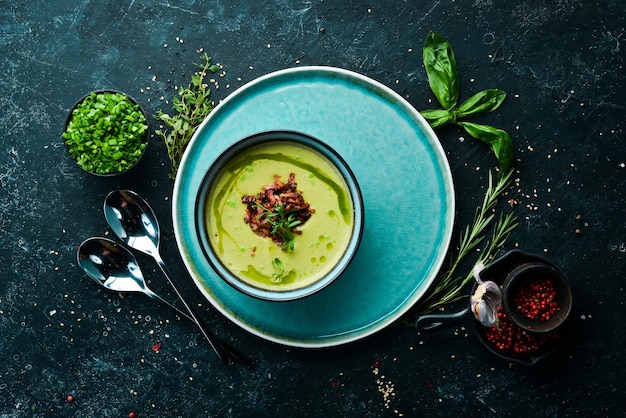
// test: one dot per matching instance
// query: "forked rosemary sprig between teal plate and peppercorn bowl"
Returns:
(450, 286)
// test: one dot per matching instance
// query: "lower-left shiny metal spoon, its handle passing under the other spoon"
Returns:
(115, 268)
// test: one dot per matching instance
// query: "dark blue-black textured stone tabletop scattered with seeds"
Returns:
(562, 65)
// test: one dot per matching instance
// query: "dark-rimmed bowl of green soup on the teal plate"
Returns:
(241, 238)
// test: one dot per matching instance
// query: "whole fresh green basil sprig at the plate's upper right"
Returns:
(443, 77)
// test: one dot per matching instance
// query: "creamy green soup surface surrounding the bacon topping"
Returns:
(325, 235)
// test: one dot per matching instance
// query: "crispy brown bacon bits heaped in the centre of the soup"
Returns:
(269, 200)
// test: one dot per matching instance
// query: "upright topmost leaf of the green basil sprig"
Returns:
(441, 70)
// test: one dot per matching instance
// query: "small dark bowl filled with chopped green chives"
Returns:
(106, 133)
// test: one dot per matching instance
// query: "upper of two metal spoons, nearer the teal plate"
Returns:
(134, 222)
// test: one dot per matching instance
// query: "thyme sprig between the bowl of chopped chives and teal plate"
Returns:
(192, 105)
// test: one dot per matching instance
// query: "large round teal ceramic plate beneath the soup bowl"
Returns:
(407, 192)
